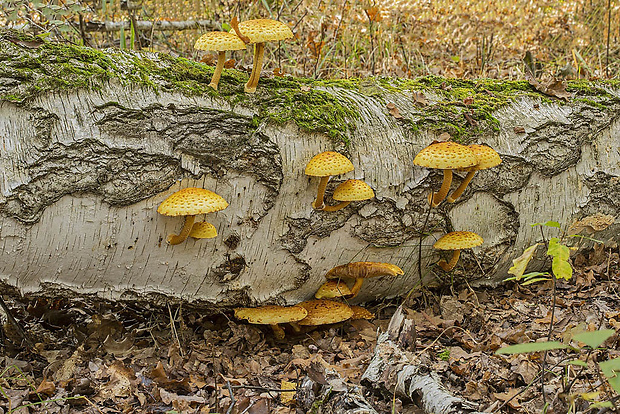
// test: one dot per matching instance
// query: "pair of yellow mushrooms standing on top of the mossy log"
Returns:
(251, 32)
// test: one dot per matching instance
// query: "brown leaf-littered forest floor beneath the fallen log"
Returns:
(91, 356)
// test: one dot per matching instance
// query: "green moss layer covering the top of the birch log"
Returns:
(464, 108)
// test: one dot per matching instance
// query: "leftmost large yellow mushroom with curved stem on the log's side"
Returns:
(189, 202)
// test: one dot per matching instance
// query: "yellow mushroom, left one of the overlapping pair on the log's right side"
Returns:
(445, 156)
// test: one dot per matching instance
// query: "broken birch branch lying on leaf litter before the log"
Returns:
(394, 369)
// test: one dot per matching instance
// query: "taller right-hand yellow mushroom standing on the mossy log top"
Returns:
(258, 32)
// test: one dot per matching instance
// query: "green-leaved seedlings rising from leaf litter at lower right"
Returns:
(587, 342)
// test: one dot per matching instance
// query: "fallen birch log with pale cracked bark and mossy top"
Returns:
(91, 142)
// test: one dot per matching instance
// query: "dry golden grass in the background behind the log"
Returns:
(407, 38)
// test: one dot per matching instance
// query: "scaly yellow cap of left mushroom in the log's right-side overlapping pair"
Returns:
(446, 156)
